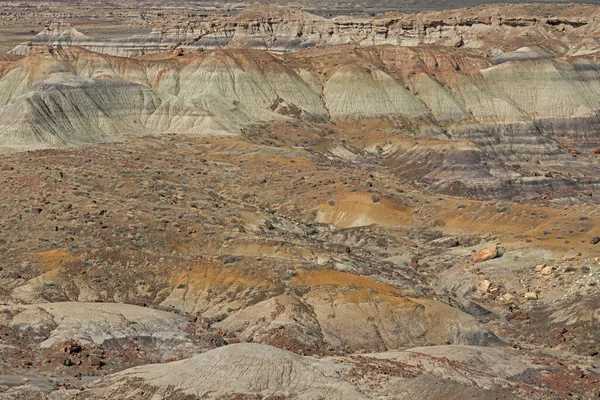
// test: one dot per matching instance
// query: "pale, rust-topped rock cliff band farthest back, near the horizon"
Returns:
(561, 30)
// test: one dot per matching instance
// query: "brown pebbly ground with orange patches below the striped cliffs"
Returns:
(152, 220)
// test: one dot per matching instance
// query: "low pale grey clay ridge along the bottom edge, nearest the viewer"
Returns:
(266, 371)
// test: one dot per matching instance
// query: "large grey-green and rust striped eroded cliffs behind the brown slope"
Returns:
(519, 128)
